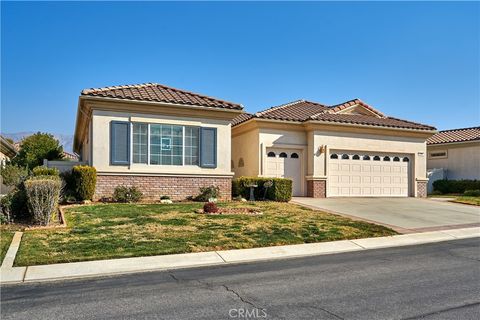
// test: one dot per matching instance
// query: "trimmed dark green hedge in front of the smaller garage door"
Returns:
(280, 189)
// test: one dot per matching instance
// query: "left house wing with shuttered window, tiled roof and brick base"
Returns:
(163, 140)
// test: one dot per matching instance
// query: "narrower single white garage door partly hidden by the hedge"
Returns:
(284, 163)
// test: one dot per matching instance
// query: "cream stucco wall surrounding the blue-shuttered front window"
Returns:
(100, 149)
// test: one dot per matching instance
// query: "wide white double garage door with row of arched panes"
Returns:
(360, 174)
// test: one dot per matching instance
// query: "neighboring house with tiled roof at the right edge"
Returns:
(457, 152)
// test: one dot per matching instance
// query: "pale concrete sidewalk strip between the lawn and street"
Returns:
(10, 274)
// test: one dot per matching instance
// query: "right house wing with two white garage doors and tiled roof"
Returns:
(350, 149)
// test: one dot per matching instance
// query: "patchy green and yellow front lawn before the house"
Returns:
(104, 231)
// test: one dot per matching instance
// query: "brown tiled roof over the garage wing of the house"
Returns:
(301, 111)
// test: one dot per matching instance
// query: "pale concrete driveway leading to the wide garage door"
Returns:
(402, 214)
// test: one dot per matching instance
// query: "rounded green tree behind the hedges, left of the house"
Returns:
(35, 148)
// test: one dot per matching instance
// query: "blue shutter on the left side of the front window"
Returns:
(119, 143)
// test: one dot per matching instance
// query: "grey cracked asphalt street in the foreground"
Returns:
(433, 281)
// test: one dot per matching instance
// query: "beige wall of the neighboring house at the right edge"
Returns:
(462, 161)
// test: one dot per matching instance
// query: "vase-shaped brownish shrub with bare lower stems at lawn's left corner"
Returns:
(43, 194)
